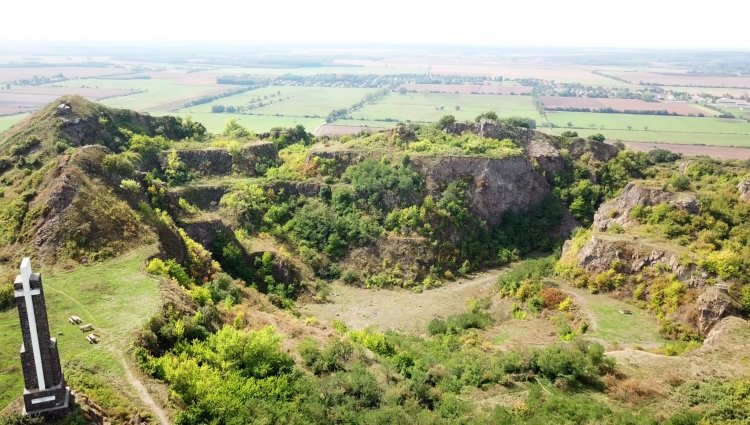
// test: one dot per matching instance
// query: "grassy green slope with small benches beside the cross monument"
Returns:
(116, 296)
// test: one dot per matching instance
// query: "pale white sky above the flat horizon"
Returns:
(721, 24)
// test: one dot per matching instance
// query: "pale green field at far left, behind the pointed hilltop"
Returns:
(160, 94)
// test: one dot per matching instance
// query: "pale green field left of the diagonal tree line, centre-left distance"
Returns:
(291, 100)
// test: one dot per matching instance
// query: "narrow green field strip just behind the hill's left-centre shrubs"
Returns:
(215, 122)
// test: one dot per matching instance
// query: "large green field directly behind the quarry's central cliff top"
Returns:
(424, 107)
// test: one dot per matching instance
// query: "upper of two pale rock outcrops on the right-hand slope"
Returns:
(617, 210)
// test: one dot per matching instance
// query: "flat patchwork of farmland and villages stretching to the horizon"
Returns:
(347, 96)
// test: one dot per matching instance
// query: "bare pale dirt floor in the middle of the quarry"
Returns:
(401, 309)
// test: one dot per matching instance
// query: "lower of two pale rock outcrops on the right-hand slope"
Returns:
(633, 254)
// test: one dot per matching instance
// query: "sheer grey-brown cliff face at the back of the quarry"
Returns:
(496, 185)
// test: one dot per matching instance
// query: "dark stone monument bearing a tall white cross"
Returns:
(45, 392)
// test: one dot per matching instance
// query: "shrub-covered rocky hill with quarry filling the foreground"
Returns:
(246, 231)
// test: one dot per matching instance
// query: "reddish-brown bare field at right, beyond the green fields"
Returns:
(560, 103)
